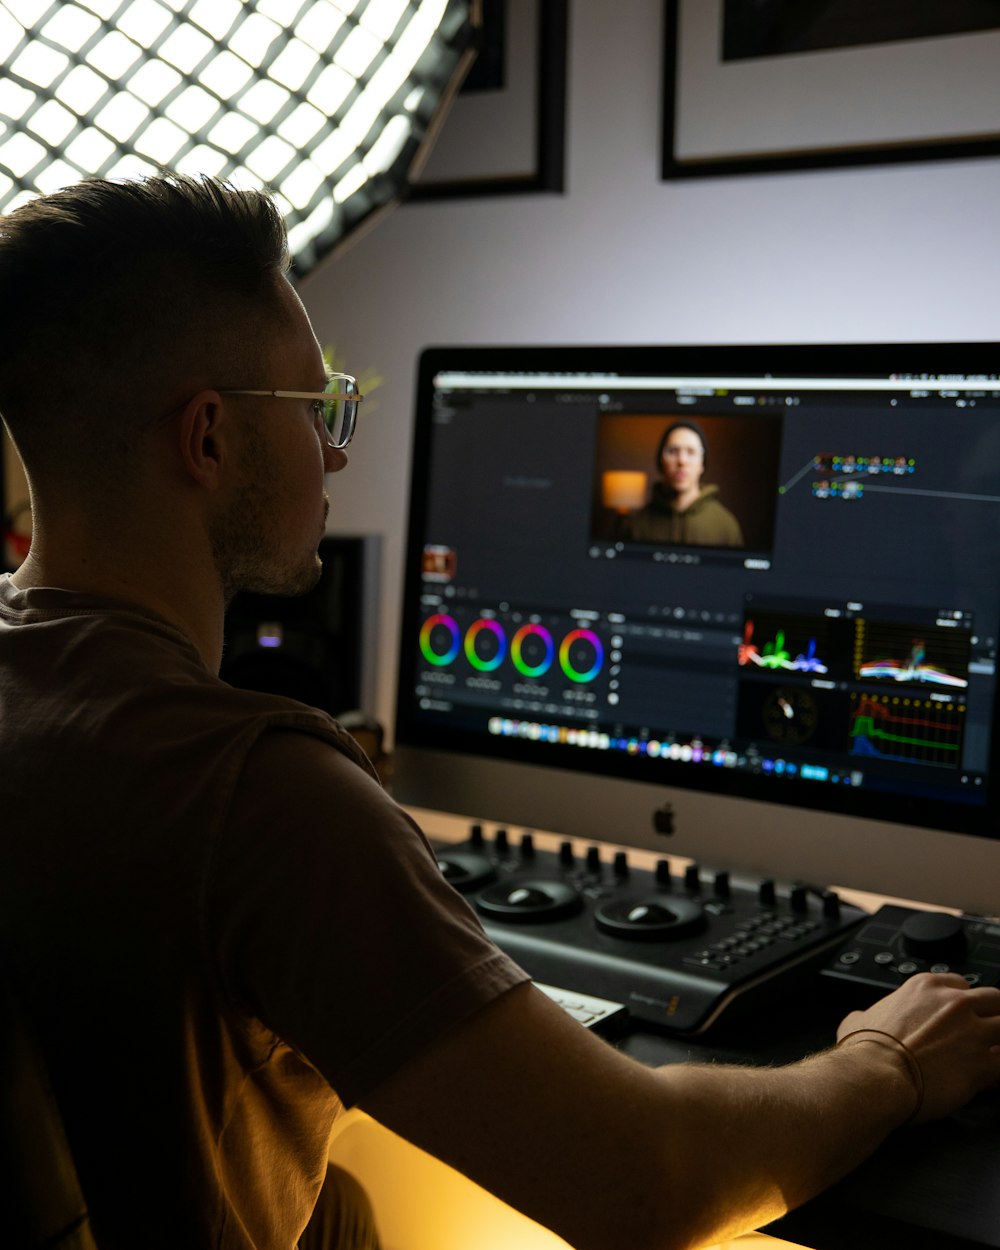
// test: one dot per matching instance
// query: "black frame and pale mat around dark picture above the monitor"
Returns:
(777, 113)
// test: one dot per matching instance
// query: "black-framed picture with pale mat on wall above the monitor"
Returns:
(763, 86)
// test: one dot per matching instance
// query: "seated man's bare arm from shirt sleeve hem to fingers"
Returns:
(609, 1154)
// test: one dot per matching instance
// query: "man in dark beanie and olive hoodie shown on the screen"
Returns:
(682, 511)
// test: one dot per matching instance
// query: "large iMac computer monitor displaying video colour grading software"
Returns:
(733, 603)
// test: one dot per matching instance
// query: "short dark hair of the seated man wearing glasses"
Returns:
(107, 286)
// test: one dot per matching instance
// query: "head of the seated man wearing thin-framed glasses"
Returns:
(141, 323)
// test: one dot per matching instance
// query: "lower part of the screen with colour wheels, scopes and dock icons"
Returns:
(836, 693)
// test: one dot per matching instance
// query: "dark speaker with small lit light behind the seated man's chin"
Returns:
(317, 648)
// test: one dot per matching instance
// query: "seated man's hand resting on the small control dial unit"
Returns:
(951, 1031)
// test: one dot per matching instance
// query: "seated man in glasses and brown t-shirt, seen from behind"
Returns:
(219, 926)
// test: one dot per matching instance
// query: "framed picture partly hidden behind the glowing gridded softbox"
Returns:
(506, 129)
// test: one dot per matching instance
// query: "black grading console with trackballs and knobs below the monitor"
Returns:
(677, 951)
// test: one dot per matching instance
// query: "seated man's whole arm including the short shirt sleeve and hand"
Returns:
(342, 934)
